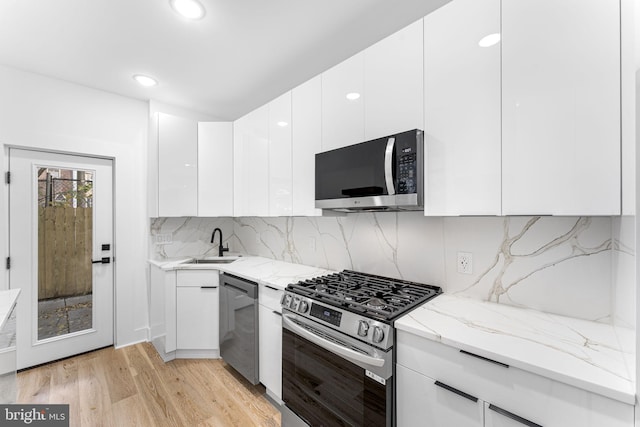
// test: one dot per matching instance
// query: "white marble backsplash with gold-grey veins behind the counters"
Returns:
(577, 266)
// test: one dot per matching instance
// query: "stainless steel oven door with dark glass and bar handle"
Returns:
(330, 379)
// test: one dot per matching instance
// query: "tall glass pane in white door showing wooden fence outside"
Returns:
(65, 242)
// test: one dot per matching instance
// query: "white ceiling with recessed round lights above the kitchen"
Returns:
(241, 55)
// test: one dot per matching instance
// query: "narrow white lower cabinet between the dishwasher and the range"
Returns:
(270, 339)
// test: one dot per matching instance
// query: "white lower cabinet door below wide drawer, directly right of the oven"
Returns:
(421, 402)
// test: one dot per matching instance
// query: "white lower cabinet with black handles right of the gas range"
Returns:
(439, 385)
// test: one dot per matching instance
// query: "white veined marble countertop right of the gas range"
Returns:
(589, 355)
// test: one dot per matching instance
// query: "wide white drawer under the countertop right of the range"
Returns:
(536, 398)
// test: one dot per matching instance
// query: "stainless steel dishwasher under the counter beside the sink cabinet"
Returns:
(239, 325)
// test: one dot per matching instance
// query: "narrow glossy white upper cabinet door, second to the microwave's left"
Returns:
(280, 181)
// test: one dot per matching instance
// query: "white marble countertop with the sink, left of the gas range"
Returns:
(262, 270)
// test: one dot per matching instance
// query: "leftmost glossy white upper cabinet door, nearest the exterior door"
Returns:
(177, 166)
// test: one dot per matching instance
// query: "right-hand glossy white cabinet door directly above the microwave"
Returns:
(393, 83)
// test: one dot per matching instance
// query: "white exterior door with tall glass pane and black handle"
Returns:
(61, 253)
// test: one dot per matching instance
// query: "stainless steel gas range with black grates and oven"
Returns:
(337, 347)
